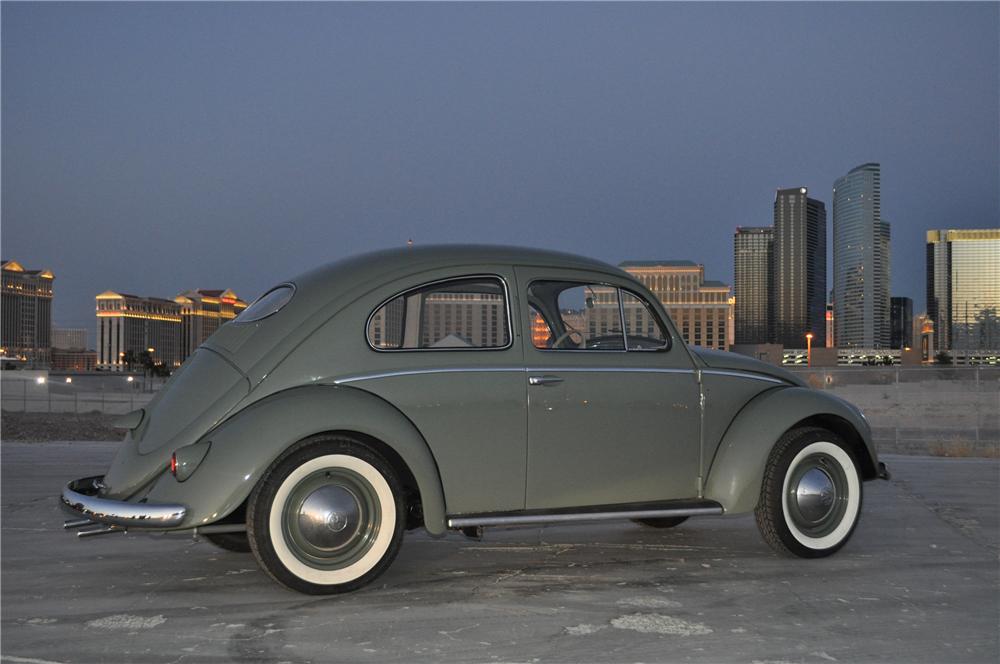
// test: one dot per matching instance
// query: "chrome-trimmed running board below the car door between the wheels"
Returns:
(672, 508)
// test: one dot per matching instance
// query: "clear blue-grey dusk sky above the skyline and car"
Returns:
(154, 148)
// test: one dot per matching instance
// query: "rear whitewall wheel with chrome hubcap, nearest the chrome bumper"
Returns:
(327, 517)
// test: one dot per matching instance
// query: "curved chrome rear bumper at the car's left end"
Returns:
(80, 498)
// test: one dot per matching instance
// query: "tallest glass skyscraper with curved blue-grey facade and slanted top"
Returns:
(860, 260)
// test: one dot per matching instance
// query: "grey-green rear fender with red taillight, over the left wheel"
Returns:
(246, 444)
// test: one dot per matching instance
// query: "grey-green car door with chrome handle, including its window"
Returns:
(612, 418)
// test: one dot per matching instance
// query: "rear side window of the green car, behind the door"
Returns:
(455, 314)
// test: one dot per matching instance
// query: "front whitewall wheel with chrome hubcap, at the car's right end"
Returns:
(810, 499)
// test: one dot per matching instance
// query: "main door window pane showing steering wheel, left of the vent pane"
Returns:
(573, 316)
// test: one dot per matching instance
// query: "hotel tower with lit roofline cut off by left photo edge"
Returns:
(27, 314)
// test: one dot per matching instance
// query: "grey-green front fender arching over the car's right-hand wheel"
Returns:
(737, 471)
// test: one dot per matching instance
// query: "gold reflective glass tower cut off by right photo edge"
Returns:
(963, 288)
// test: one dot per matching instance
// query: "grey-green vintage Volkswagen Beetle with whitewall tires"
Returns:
(462, 387)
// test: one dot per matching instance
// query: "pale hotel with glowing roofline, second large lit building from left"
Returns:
(132, 324)
